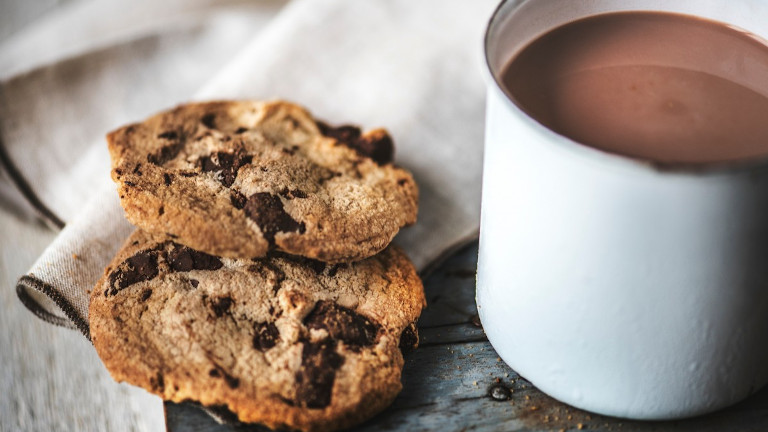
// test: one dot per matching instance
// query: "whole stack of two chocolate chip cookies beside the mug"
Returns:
(260, 279)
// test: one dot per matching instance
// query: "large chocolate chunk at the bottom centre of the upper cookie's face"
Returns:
(268, 212)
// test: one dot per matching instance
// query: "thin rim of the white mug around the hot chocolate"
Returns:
(645, 164)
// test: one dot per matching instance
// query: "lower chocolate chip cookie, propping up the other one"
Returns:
(285, 341)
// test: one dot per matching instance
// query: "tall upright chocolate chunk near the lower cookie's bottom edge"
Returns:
(319, 362)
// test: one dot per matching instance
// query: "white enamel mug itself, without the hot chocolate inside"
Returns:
(611, 284)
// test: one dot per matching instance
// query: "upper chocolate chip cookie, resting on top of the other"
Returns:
(238, 179)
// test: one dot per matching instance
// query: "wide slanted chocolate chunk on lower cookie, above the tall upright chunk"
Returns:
(343, 324)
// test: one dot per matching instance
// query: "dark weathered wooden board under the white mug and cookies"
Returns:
(456, 382)
